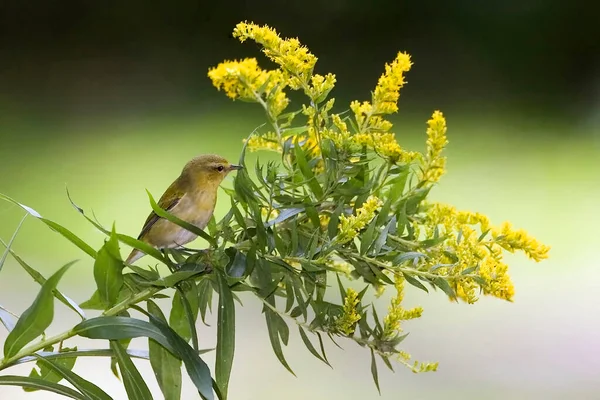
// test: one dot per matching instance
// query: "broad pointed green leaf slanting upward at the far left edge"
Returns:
(36, 318)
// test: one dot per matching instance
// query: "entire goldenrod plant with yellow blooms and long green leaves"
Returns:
(344, 209)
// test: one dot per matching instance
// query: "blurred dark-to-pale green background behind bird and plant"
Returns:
(111, 98)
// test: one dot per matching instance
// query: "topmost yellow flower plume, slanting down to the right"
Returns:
(289, 54)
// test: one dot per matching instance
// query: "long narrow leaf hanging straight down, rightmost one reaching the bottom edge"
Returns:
(225, 335)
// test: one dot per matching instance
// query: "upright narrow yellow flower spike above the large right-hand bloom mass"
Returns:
(435, 164)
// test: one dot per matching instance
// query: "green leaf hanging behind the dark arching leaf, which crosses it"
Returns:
(166, 367)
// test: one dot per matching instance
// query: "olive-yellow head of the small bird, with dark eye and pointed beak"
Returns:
(208, 170)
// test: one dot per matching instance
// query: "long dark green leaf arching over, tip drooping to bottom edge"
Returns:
(114, 328)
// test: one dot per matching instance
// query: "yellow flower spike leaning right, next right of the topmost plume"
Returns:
(387, 91)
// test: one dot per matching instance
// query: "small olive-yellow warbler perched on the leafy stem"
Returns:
(191, 197)
